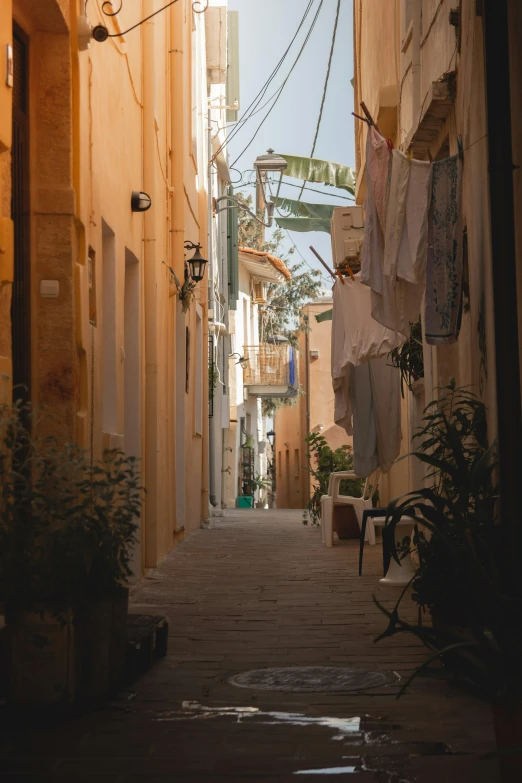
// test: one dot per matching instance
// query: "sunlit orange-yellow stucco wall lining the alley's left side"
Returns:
(108, 359)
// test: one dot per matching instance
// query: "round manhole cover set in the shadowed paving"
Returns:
(314, 679)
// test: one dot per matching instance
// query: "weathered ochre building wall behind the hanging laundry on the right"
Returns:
(420, 68)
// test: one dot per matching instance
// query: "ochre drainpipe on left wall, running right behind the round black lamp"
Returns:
(150, 269)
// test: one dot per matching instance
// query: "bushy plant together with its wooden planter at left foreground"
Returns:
(67, 526)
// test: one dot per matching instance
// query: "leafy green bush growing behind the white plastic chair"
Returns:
(323, 461)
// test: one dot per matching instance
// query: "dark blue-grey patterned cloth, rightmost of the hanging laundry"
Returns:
(444, 265)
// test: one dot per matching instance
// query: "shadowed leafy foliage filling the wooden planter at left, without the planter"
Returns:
(66, 526)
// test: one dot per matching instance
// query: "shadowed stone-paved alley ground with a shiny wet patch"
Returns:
(260, 590)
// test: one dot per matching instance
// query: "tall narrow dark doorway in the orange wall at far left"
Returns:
(20, 307)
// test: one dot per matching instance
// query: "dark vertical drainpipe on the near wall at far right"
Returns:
(503, 261)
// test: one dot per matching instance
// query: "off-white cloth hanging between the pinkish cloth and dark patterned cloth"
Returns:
(405, 245)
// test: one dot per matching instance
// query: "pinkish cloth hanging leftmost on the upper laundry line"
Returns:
(378, 157)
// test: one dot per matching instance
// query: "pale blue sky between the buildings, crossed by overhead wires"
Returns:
(266, 28)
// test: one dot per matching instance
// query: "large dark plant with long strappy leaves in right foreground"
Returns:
(467, 576)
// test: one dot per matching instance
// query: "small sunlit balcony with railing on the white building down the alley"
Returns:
(271, 370)
